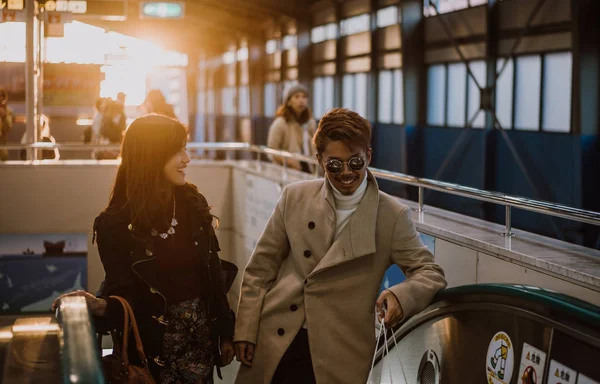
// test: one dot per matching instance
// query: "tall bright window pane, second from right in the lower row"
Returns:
(527, 92)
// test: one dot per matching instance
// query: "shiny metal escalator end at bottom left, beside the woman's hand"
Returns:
(48, 349)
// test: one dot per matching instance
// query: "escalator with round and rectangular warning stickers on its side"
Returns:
(495, 334)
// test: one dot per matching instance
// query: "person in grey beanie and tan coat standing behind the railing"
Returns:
(293, 128)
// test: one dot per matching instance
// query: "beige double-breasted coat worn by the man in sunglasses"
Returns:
(299, 273)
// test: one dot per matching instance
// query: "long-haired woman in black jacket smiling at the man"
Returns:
(159, 252)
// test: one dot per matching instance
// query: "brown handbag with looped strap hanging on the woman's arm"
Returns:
(116, 366)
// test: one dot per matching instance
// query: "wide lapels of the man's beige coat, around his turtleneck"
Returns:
(357, 239)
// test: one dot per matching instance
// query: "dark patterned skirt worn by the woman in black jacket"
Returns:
(187, 345)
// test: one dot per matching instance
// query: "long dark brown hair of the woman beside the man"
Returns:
(141, 186)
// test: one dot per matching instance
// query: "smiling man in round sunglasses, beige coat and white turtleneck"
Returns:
(309, 293)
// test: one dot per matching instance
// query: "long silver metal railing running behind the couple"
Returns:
(508, 201)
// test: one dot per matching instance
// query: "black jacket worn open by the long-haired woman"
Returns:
(131, 272)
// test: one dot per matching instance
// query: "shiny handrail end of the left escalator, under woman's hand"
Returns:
(80, 355)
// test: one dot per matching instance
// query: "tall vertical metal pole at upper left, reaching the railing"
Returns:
(31, 131)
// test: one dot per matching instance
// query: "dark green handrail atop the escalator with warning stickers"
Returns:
(579, 309)
